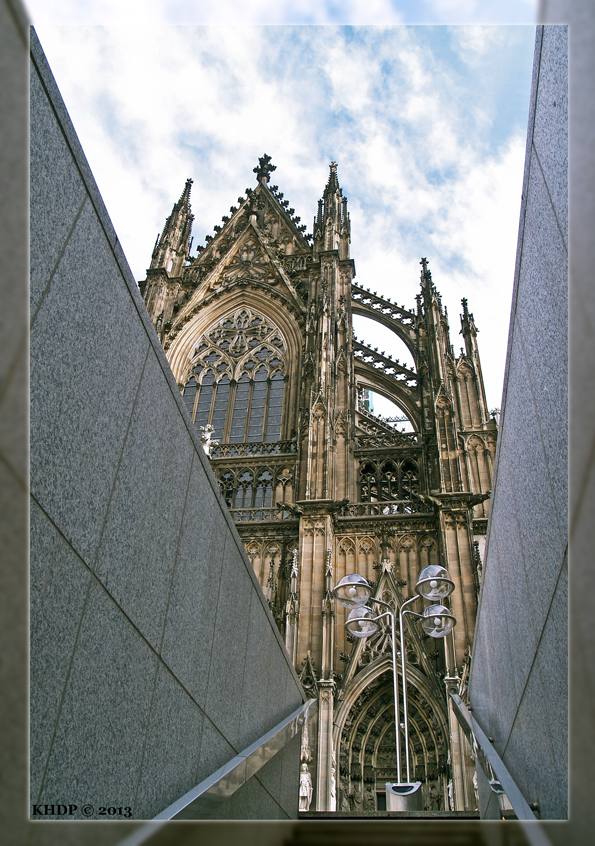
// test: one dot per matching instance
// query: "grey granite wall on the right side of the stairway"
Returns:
(518, 684)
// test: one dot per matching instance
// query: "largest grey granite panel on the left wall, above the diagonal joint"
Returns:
(87, 355)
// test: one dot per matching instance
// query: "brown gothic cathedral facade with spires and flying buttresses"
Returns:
(257, 328)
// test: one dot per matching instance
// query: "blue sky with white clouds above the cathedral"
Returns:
(427, 124)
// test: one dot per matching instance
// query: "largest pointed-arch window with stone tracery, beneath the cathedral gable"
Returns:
(238, 379)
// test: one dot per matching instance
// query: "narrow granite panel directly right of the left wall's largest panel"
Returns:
(138, 547)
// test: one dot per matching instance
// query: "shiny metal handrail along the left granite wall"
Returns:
(205, 798)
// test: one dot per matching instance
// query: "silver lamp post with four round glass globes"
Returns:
(433, 584)
